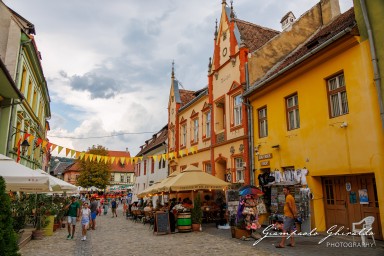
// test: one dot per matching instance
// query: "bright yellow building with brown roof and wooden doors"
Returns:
(316, 109)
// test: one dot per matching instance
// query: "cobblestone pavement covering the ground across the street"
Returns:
(119, 236)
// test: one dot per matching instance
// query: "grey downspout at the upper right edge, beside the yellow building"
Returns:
(376, 73)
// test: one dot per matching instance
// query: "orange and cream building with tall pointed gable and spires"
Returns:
(213, 122)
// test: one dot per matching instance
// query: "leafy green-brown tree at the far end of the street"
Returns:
(94, 173)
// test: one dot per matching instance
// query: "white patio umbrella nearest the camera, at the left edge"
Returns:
(21, 178)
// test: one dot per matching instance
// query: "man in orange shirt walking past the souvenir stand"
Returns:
(290, 213)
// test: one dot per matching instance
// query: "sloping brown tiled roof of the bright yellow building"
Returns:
(314, 43)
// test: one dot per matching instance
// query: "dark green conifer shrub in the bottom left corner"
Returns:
(8, 237)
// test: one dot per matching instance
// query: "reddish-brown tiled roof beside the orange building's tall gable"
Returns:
(254, 36)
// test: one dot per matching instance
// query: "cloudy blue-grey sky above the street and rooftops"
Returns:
(108, 63)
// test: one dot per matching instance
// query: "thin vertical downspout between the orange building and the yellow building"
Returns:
(250, 130)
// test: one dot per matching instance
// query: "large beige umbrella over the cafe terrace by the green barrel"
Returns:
(194, 178)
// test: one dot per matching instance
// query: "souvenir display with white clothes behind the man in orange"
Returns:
(273, 183)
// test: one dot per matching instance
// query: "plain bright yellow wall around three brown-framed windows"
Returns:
(320, 144)
